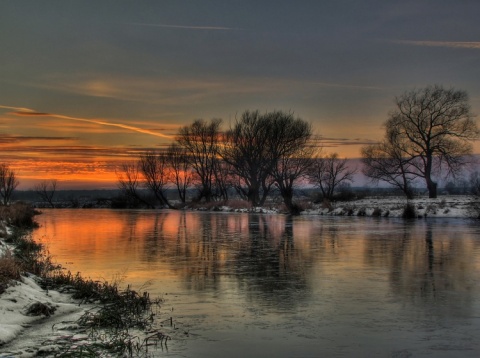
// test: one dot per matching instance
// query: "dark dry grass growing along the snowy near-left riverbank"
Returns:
(121, 322)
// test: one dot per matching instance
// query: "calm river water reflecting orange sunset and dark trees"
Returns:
(252, 285)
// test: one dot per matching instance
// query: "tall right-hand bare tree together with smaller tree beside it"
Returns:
(430, 131)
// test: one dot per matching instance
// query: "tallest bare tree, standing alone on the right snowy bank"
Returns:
(433, 127)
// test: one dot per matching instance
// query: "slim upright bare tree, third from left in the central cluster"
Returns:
(181, 171)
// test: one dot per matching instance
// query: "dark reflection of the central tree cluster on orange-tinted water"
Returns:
(207, 251)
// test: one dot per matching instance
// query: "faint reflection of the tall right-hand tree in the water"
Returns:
(428, 267)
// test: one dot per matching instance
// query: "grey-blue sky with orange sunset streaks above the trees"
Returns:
(87, 85)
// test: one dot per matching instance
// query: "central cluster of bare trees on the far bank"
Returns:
(260, 152)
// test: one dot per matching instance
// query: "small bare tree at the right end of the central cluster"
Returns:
(328, 172)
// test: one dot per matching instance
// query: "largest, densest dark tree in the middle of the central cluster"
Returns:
(257, 147)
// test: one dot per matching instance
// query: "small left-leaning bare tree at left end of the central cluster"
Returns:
(129, 182)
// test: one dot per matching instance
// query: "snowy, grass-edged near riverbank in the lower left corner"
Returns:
(47, 311)
